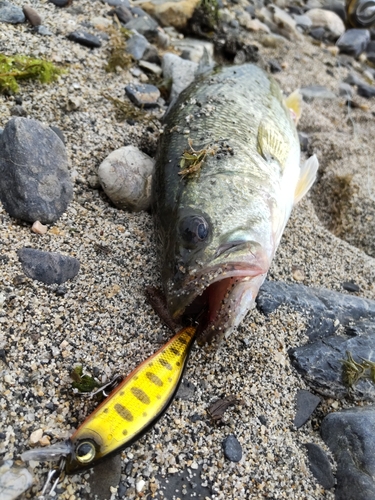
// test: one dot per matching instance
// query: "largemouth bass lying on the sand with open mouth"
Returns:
(227, 176)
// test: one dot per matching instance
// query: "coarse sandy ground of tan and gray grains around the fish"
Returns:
(104, 322)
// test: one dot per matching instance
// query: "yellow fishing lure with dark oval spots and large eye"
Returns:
(129, 411)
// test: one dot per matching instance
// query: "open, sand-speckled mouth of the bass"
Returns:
(217, 297)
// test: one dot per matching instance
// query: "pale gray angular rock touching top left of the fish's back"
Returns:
(180, 71)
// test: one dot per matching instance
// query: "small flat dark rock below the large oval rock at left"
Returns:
(48, 267)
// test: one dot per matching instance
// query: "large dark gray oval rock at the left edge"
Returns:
(34, 178)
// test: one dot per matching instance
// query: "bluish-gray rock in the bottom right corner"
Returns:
(350, 436)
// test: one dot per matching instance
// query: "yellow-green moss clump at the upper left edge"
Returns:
(20, 67)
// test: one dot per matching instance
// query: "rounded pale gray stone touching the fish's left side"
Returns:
(126, 176)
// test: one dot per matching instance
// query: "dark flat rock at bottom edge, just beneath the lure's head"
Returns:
(106, 475)
